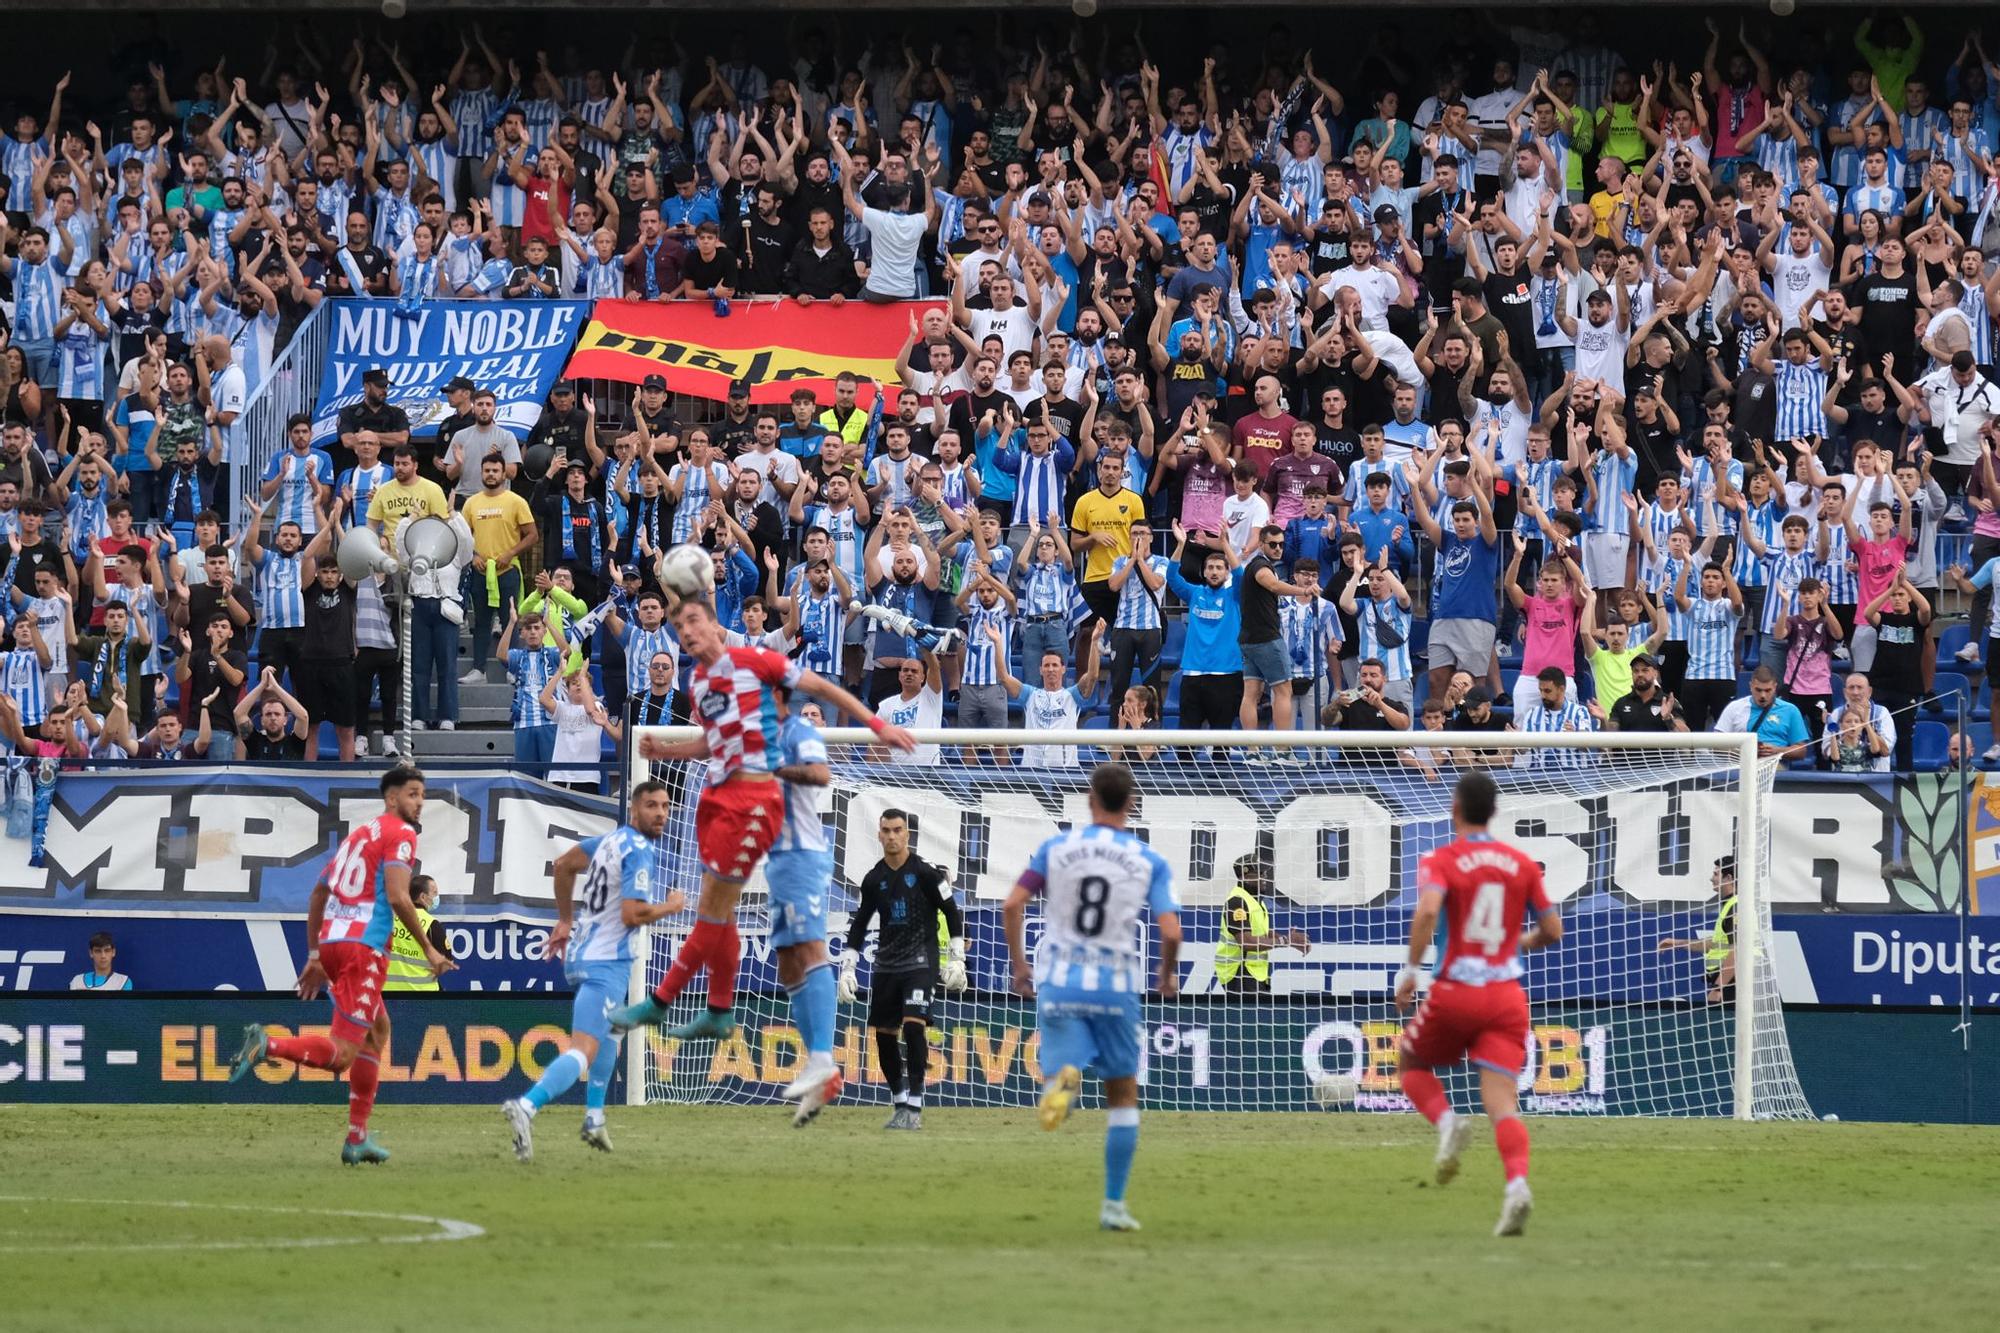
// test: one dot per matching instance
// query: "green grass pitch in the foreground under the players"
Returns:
(731, 1220)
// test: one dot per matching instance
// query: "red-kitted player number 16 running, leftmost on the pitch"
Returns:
(349, 920)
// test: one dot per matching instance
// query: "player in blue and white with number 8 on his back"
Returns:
(1091, 966)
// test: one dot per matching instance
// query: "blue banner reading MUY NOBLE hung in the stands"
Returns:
(513, 349)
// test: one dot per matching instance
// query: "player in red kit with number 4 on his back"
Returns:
(1477, 1008)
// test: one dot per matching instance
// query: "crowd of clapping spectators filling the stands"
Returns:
(1513, 383)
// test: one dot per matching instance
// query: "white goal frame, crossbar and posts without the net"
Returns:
(1751, 956)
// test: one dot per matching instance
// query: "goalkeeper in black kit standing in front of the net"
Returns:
(907, 896)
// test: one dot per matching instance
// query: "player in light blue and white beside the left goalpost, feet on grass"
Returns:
(593, 938)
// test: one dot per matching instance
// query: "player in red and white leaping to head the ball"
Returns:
(735, 698)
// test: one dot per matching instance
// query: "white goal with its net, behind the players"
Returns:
(1331, 826)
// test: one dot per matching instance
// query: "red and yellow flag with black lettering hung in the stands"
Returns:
(777, 345)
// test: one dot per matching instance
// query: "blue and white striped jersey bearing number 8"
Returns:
(1095, 882)
